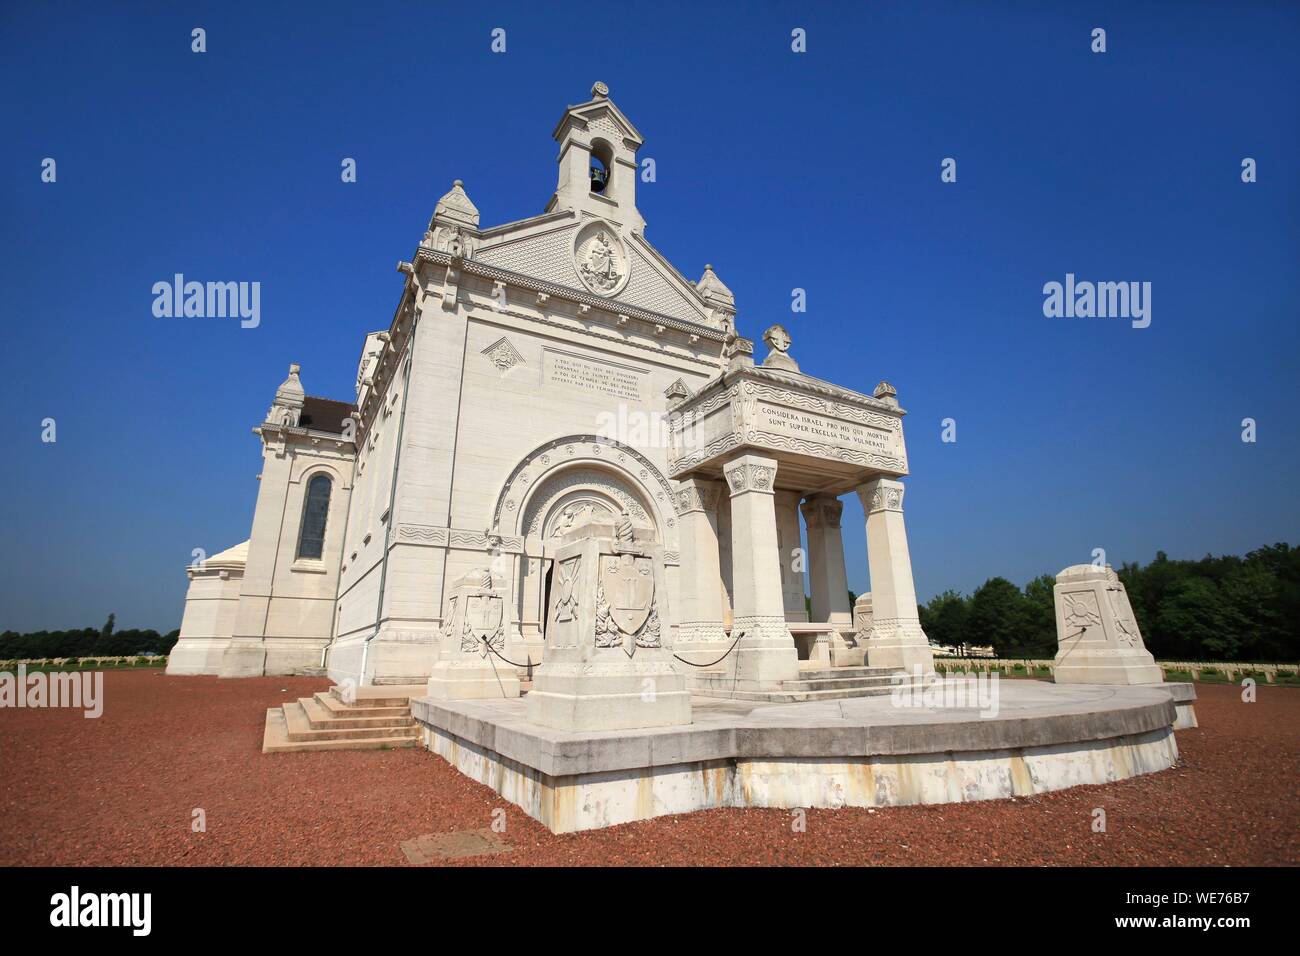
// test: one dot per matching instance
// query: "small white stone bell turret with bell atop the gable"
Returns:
(599, 162)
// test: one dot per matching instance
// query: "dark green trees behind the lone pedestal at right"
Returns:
(1215, 609)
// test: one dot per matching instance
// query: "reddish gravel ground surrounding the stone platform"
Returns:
(122, 790)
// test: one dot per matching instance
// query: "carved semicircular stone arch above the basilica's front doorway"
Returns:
(606, 471)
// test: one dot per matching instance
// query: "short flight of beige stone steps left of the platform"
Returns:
(378, 720)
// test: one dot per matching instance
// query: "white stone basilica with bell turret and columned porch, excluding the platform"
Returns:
(539, 378)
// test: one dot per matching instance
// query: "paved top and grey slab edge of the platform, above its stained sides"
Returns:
(1030, 715)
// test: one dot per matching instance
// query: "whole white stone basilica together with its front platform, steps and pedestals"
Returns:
(565, 514)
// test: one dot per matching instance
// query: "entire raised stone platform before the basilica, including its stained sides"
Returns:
(859, 752)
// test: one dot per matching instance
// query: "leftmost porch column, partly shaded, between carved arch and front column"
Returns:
(701, 637)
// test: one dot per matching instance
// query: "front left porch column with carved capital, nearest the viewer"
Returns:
(766, 654)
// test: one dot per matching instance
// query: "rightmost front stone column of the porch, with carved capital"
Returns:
(895, 639)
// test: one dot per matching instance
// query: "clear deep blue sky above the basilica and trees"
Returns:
(817, 171)
